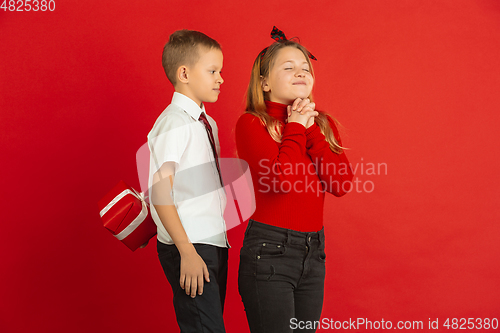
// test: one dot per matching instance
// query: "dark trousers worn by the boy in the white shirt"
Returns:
(202, 313)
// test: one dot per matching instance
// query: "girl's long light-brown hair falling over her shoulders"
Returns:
(256, 97)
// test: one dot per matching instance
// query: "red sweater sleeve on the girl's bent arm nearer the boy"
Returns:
(270, 161)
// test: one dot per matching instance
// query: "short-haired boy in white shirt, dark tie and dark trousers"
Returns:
(186, 191)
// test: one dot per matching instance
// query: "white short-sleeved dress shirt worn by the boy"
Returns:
(178, 136)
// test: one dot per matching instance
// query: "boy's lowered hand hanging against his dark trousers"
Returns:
(193, 272)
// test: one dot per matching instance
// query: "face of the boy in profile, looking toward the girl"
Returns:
(204, 77)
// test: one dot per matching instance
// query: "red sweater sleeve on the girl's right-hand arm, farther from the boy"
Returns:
(334, 170)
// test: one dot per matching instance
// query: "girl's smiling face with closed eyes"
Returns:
(289, 77)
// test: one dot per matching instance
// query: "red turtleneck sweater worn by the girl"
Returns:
(290, 178)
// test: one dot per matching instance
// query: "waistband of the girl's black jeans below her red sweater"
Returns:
(289, 235)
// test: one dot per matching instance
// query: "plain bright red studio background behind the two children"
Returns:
(415, 84)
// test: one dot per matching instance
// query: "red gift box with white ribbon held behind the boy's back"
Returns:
(125, 213)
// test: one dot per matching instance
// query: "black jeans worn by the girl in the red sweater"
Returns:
(281, 277)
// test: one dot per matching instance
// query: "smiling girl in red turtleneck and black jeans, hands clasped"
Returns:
(295, 155)
